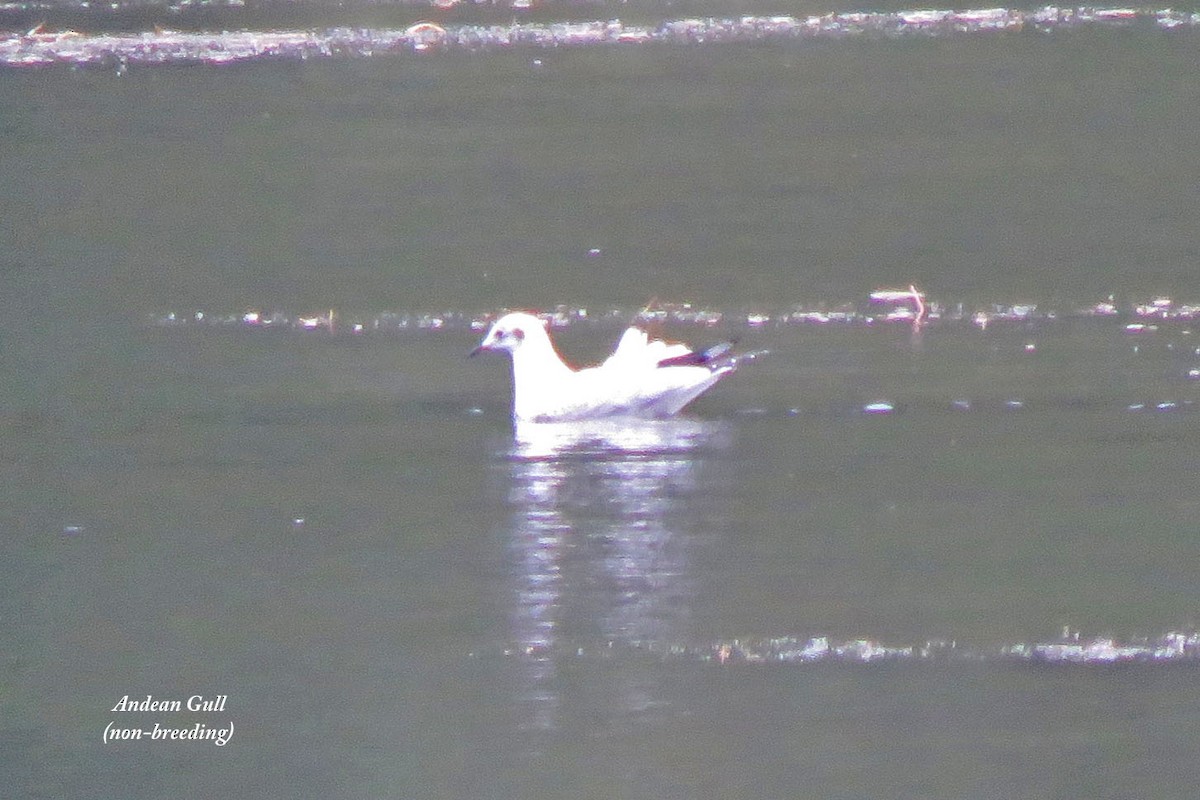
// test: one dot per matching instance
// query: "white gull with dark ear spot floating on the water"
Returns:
(644, 378)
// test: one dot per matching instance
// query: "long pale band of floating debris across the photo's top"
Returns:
(40, 47)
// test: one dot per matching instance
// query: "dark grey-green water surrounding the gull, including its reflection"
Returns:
(337, 533)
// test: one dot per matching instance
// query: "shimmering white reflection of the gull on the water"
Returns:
(596, 554)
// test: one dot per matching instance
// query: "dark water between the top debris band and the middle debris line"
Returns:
(1022, 167)
